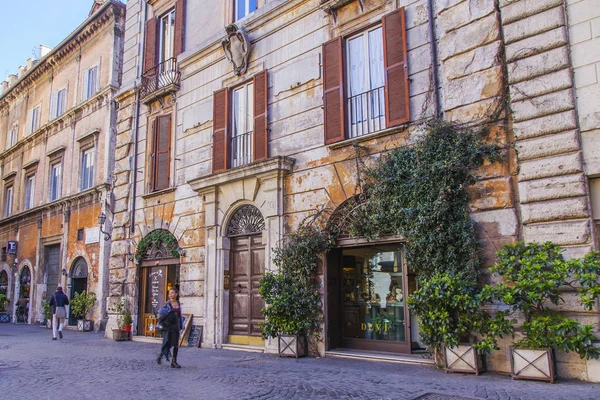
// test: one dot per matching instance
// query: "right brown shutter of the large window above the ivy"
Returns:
(397, 106)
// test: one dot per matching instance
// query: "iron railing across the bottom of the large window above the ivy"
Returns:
(366, 113)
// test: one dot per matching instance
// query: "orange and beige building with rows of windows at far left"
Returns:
(57, 141)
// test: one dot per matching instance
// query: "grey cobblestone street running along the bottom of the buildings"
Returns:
(86, 366)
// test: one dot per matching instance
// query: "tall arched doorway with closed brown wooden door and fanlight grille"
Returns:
(246, 267)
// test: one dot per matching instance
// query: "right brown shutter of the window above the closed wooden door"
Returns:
(260, 140)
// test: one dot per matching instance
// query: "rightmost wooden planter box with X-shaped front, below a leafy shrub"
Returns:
(535, 364)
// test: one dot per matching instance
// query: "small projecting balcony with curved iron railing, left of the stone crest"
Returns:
(164, 78)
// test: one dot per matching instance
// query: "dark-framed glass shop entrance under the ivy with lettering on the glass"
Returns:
(366, 292)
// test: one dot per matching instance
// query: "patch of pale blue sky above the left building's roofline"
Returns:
(28, 23)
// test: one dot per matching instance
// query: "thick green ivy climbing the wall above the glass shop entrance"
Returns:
(421, 192)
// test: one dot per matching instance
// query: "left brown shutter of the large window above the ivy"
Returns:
(333, 88)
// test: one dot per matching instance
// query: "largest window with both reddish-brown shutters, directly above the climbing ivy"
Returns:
(365, 80)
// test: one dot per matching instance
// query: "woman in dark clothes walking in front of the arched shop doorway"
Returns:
(172, 321)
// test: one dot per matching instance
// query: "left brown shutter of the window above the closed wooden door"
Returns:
(221, 141)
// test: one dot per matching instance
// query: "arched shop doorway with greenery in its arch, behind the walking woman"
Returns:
(158, 255)
